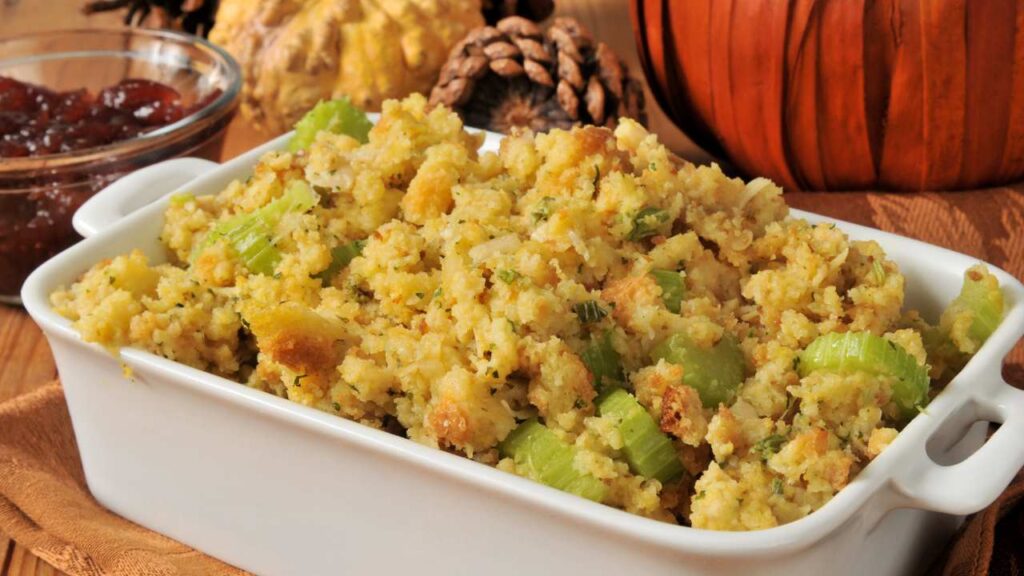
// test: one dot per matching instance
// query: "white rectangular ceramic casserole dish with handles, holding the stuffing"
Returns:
(279, 488)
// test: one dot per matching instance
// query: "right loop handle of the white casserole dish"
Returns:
(975, 483)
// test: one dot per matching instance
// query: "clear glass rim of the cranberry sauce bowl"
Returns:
(224, 104)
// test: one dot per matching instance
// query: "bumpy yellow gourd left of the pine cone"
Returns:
(295, 53)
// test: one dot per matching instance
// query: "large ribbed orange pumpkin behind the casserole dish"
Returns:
(845, 95)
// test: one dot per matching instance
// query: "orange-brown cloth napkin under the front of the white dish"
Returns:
(47, 508)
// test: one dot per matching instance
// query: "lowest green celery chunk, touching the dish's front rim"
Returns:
(548, 460)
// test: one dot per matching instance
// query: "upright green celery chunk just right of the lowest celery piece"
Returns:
(648, 449)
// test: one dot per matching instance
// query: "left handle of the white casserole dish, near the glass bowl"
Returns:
(137, 190)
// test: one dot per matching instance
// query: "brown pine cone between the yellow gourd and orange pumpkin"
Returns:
(515, 74)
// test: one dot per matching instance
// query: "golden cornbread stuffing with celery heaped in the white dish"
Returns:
(457, 298)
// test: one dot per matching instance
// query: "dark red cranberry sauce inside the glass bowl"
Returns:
(36, 209)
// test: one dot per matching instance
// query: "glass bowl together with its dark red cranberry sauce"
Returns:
(80, 109)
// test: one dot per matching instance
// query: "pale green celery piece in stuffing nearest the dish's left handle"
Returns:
(251, 236)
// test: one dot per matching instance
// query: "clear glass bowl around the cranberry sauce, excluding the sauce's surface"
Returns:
(39, 195)
